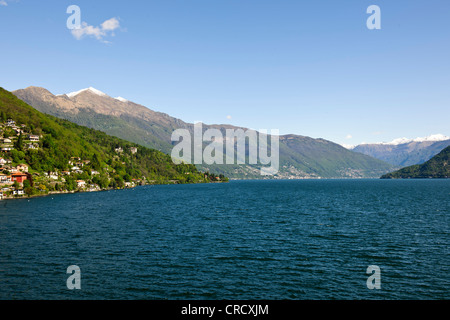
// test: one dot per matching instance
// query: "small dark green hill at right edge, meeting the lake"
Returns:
(436, 167)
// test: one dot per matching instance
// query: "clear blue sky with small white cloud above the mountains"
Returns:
(311, 68)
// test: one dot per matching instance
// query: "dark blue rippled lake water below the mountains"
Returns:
(310, 239)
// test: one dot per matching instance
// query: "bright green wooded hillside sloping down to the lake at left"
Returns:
(49, 144)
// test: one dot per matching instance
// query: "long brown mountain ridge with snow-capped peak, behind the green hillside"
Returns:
(300, 156)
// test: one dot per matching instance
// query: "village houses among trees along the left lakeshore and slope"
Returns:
(17, 179)
